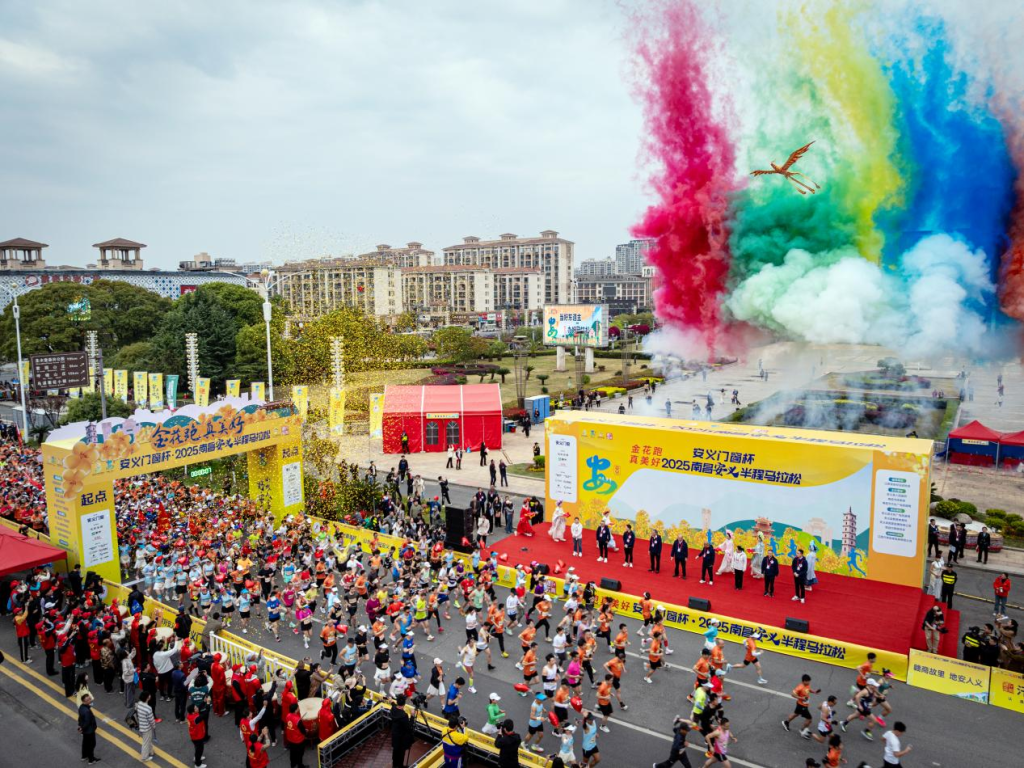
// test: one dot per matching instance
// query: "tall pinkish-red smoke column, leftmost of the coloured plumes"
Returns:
(690, 145)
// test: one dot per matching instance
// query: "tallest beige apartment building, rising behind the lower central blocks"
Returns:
(551, 254)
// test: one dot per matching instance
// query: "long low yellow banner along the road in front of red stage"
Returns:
(817, 649)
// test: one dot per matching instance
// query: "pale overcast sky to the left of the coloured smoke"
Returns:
(288, 131)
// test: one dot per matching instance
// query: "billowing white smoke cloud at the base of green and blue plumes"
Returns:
(930, 307)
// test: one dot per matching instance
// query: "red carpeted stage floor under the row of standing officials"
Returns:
(857, 611)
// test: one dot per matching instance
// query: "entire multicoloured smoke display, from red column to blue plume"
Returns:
(901, 247)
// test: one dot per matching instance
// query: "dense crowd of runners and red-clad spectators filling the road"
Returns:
(366, 617)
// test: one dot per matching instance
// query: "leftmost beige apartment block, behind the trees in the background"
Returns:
(316, 287)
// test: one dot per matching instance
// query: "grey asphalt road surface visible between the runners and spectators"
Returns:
(945, 732)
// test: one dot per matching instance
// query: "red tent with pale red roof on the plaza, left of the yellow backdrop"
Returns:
(436, 417)
